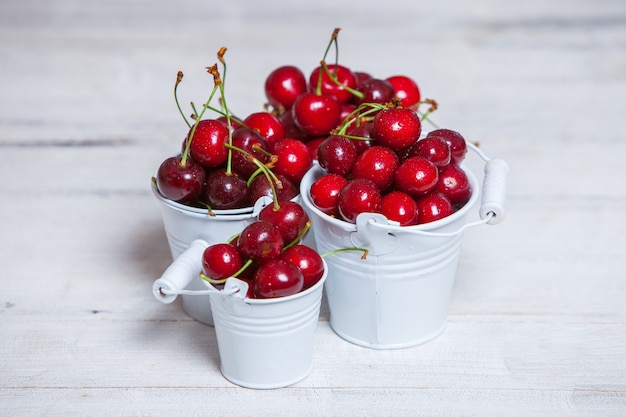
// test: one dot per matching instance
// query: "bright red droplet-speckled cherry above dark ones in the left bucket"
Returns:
(207, 145)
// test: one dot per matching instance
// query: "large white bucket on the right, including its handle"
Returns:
(399, 295)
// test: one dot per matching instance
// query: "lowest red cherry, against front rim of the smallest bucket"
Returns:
(277, 278)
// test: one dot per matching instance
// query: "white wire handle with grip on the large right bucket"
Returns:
(493, 198)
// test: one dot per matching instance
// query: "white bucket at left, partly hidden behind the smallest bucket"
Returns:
(184, 224)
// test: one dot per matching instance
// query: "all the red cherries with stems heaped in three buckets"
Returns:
(366, 132)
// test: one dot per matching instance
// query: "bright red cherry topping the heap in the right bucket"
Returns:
(397, 128)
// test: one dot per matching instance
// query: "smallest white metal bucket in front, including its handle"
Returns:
(263, 343)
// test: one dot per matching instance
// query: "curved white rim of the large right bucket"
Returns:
(307, 180)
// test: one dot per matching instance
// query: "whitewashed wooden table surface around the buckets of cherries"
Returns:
(537, 320)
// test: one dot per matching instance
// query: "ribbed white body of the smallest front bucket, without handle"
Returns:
(267, 343)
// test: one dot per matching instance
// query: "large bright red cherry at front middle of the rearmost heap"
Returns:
(315, 114)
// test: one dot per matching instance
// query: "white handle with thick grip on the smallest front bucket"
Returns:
(186, 267)
